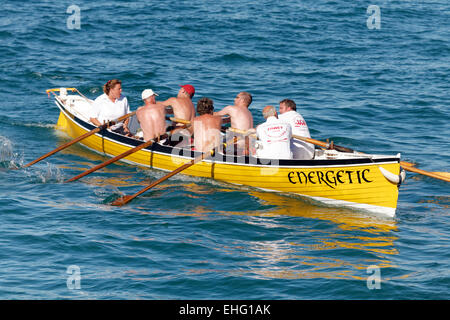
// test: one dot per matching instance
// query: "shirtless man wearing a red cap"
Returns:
(182, 105)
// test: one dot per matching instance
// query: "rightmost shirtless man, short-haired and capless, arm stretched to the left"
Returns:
(241, 118)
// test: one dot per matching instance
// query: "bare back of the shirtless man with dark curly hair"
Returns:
(206, 132)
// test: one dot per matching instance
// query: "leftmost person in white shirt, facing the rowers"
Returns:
(110, 106)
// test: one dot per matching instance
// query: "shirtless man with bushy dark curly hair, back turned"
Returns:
(206, 126)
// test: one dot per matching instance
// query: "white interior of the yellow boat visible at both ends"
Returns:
(80, 107)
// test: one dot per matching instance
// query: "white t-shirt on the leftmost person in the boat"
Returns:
(105, 110)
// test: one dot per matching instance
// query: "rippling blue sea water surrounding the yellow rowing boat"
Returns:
(377, 90)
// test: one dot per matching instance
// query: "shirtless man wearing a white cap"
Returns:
(151, 116)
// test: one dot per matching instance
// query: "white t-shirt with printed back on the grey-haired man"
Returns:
(274, 139)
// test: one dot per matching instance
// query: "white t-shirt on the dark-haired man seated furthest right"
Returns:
(300, 149)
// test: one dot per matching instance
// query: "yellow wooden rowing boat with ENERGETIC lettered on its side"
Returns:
(361, 181)
